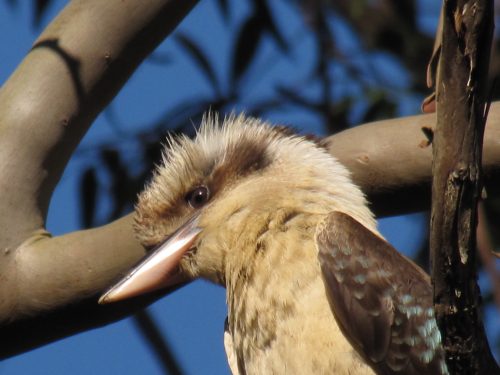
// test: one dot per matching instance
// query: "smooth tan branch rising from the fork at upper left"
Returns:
(65, 81)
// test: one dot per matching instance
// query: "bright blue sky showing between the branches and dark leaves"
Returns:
(192, 318)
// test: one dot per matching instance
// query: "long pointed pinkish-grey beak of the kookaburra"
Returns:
(159, 268)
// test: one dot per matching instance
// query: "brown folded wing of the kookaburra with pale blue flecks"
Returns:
(381, 300)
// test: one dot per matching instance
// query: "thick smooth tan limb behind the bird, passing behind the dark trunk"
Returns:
(391, 160)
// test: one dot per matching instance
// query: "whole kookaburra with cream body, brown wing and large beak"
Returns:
(312, 287)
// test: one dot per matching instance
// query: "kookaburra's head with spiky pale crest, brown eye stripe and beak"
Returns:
(211, 191)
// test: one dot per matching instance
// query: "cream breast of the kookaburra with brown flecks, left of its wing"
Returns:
(279, 317)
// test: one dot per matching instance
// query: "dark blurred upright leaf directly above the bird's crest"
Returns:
(245, 47)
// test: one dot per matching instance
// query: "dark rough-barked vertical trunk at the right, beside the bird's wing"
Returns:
(457, 178)
